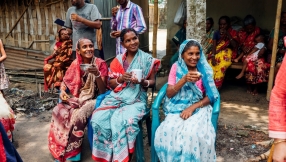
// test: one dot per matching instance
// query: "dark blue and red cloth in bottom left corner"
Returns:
(8, 153)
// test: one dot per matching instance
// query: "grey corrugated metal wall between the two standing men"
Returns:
(109, 44)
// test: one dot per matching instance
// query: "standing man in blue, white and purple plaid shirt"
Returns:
(128, 15)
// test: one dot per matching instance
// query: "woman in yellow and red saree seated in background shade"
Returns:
(224, 49)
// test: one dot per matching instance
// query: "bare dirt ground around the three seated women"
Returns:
(243, 121)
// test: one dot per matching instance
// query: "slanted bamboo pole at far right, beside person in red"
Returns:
(274, 49)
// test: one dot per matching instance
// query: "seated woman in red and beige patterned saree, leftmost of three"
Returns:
(69, 118)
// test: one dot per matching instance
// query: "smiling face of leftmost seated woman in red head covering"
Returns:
(86, 49)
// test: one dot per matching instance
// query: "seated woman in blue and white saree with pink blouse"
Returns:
(187, 133)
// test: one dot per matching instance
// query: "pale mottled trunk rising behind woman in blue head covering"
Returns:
(196, 19)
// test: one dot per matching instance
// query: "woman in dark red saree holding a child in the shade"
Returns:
(256, 70)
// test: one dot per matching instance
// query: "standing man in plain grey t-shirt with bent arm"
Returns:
(82, 20)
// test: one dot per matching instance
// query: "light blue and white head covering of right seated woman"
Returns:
(203, 67)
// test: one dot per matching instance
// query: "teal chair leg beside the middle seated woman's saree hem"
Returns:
(139, 145)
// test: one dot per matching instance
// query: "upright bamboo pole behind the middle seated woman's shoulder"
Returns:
(155, 29)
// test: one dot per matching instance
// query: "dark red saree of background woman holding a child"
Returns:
(256, 71)
